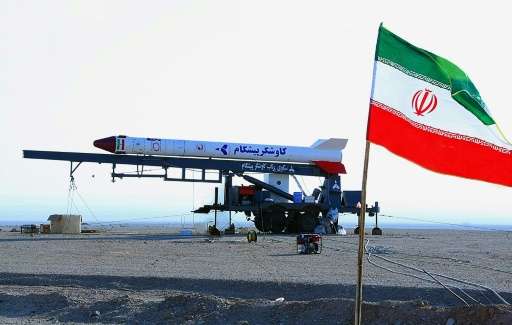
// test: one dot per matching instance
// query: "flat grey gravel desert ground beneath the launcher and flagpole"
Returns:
(152, 276)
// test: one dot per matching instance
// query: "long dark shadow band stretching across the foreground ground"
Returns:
(245, 289)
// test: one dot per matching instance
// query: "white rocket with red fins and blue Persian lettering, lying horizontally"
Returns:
(327, 154)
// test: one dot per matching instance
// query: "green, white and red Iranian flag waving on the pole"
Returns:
(426, 109)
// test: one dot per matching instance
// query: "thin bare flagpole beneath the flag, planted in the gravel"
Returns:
(360, 253)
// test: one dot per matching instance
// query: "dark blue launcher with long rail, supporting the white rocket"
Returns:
(272, 209)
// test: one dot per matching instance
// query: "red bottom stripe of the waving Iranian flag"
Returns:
(436, 152)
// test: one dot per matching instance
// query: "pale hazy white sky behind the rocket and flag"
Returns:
(278, 72)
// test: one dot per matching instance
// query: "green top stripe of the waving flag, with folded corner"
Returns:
(427, 66)
